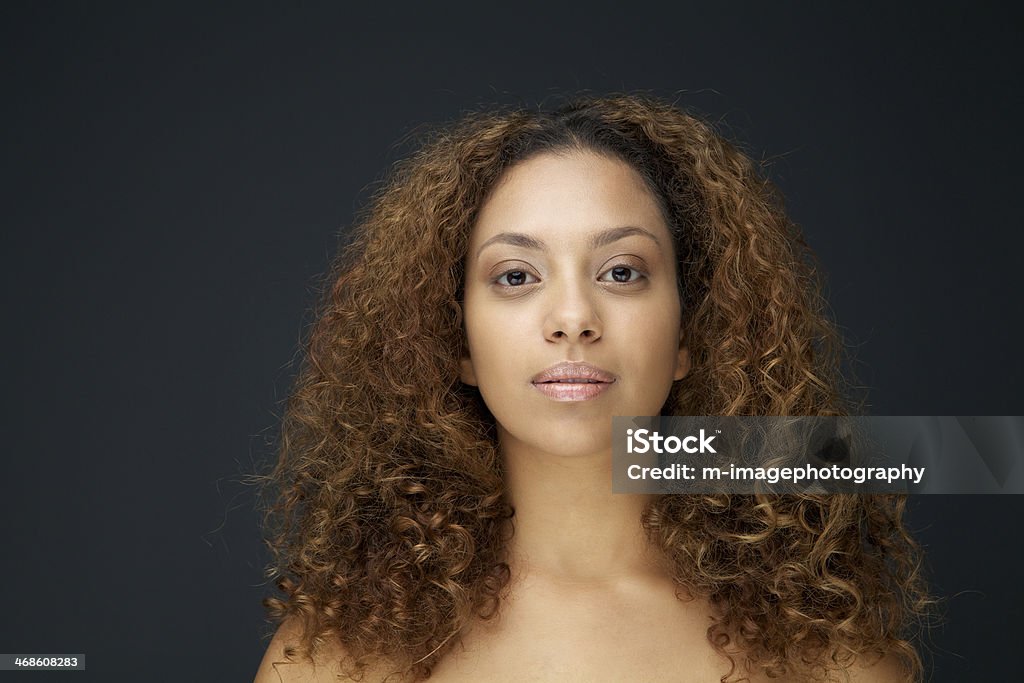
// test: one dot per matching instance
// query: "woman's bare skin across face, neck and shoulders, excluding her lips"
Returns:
(571, 261)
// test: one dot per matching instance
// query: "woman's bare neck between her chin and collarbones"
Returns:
(568, 523)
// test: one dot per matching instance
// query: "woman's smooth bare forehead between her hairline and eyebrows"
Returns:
(569, 195)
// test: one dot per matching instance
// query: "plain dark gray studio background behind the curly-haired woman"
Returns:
(175, 179)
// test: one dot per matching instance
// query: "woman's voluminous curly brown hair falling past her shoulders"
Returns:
(390, 518)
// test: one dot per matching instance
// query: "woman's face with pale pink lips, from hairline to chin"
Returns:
(571, 309)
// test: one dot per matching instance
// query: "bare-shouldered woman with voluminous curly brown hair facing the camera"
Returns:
(444, 503)
